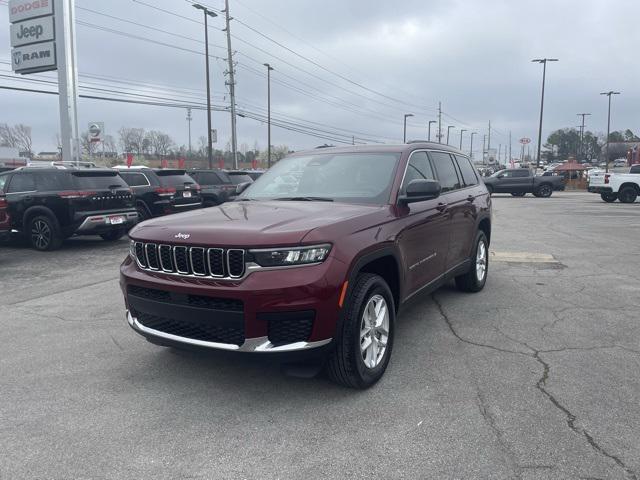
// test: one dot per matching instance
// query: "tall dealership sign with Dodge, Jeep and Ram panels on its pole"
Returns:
(43, 39)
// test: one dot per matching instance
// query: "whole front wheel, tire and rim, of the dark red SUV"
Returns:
(365, 334)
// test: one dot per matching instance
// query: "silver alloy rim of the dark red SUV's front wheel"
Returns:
(374, 331)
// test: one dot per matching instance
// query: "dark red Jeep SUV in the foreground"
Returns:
(316, 256)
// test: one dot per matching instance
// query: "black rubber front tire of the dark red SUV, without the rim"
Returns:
(345, 364)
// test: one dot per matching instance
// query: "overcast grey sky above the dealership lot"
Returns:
(373, 60)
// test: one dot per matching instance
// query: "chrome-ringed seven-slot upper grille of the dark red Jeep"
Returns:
(195, 261)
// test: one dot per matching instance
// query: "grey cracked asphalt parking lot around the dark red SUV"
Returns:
(536, 377)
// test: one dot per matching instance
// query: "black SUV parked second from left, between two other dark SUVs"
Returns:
(161, 191)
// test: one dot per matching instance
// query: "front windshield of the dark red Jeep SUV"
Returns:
(346, 177)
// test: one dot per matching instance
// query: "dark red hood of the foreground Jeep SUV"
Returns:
(249, 224)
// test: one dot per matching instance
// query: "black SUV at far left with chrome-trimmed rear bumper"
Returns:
(50, 204)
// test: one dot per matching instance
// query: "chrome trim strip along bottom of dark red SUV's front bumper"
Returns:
(257, 344)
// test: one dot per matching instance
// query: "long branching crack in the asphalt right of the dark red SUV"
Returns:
(541, 385)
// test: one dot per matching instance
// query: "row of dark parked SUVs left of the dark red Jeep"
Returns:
(47, 204)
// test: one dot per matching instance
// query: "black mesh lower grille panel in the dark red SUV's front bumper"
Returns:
(209, 319)
